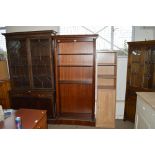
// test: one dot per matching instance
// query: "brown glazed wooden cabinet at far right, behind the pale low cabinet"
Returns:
(140, 74)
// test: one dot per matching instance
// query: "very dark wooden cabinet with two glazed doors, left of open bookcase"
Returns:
(31, 67)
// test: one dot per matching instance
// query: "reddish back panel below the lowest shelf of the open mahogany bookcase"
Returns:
(76, 98)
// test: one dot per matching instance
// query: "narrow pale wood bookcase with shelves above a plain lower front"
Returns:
(106, 89)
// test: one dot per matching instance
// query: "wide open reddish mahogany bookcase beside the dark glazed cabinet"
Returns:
(75, 77)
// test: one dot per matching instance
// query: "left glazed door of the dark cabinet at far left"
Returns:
(18, 62)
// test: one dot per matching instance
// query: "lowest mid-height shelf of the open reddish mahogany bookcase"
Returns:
(75, 81)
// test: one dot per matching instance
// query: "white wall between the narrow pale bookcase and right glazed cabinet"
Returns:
(121, 85)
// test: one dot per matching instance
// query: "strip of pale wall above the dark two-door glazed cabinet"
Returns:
(10, 29)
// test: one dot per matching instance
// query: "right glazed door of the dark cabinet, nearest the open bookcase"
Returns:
(41, 57)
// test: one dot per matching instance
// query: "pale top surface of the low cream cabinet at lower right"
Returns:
(148, 97)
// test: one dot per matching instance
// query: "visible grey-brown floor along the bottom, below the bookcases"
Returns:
(120, 124)
